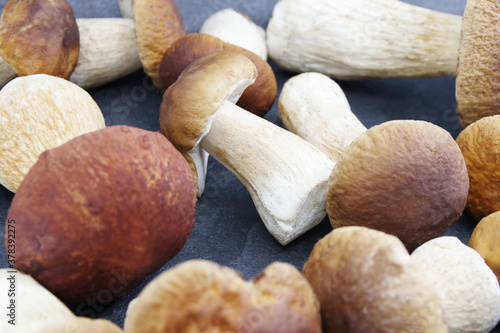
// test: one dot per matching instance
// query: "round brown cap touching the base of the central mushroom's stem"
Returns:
(406, 178)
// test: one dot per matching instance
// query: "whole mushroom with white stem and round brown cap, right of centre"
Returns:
(401, 163)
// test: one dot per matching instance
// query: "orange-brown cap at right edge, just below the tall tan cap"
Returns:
(480, 145)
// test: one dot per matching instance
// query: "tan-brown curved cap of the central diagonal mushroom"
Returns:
(189, 105)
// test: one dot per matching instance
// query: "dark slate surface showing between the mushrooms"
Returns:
(228, 229)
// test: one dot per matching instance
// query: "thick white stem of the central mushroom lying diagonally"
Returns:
(286, 176)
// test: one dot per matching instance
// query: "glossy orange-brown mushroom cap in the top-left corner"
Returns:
(39, 37)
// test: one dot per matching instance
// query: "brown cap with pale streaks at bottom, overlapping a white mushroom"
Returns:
(366, 281)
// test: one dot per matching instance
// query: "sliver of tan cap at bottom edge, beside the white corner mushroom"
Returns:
(82, 325)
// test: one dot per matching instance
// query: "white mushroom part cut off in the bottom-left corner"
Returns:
(27, 305)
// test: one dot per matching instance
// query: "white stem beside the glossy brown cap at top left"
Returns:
(108, 51)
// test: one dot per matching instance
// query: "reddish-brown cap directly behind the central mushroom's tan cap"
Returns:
(258, 98)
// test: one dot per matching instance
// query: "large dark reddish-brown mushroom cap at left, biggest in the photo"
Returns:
(97, 215)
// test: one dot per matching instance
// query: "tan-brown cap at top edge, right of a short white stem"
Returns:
(158, 23)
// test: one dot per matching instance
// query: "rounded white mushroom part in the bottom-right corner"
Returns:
(468, 289)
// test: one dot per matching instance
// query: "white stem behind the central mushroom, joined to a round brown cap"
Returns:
(314, 107)
